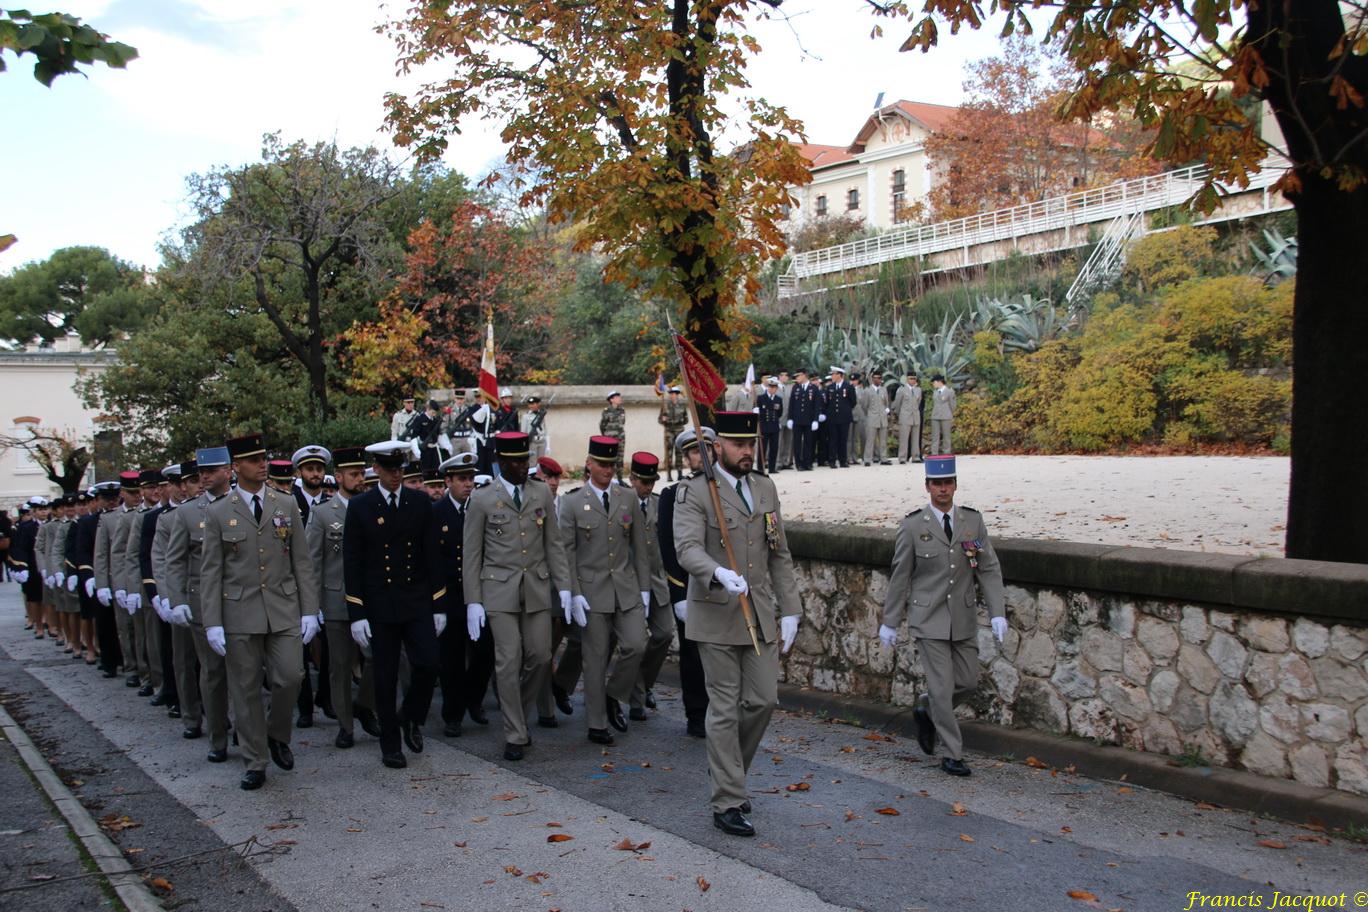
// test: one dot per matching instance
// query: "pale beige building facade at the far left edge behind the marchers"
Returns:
(40, 393)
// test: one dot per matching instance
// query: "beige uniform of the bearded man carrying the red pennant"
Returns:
(742, 687)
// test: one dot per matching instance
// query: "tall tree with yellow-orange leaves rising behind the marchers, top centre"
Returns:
(612, 114)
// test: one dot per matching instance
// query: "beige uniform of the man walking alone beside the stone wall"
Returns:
(932, 583)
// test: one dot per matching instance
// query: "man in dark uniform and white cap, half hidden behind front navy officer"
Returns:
(466, 664)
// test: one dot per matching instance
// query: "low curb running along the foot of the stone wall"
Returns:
(1215, 786)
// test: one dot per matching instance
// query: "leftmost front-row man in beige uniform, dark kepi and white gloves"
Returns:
(261, 600)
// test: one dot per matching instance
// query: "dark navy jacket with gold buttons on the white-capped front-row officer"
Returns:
(391, 561)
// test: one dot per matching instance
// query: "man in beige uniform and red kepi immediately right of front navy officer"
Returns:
(512, 548)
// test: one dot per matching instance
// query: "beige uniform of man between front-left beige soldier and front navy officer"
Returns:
(325, 539)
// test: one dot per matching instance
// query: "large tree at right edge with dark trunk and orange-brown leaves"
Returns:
(1188, 72)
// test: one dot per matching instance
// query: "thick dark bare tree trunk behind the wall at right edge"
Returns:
(1328, 505)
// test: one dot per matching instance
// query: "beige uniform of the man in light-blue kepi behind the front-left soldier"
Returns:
(183, 561)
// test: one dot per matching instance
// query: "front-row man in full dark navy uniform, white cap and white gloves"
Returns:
(396, 597)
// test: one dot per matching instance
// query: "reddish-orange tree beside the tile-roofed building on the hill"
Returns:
(1006, 146)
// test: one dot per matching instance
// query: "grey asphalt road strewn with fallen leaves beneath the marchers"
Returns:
(462, 829)
